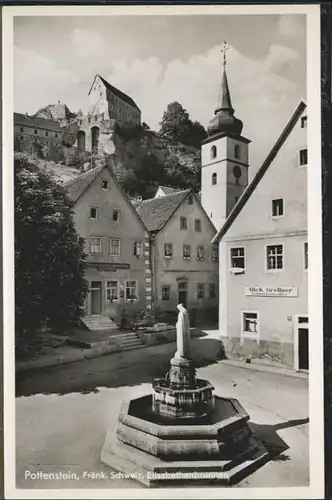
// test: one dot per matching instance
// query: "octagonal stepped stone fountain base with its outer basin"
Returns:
(158, 450)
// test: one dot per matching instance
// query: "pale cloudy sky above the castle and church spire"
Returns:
(161, 59)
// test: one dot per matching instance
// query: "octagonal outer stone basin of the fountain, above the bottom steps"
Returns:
(220, 434)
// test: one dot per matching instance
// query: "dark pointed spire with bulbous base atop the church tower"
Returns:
(224, 120)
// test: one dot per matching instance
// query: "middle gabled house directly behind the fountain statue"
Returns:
(184, 264)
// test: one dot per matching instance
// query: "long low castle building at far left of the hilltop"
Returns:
(38, 136)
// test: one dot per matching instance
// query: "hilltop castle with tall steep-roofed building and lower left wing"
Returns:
(80, 133)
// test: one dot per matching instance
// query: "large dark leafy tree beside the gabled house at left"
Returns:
(49, 258)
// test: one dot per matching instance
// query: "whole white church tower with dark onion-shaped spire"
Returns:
(224, 157)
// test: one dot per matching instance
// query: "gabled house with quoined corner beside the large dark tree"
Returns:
(116, 244)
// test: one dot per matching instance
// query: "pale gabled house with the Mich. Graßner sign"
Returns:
(263, 254)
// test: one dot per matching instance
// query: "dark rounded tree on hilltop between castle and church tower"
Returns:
(177, 126)
